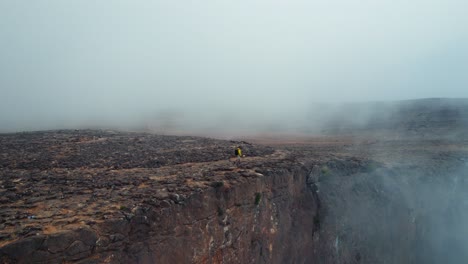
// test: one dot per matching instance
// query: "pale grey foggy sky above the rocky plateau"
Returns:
(82, 59)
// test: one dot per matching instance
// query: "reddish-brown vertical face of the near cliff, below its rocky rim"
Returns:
(268, 218)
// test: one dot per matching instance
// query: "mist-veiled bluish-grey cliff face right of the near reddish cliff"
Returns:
(408, 205)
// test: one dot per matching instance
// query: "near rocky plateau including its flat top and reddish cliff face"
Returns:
(106, 197)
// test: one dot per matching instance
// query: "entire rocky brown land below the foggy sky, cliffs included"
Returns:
(94, 196)
